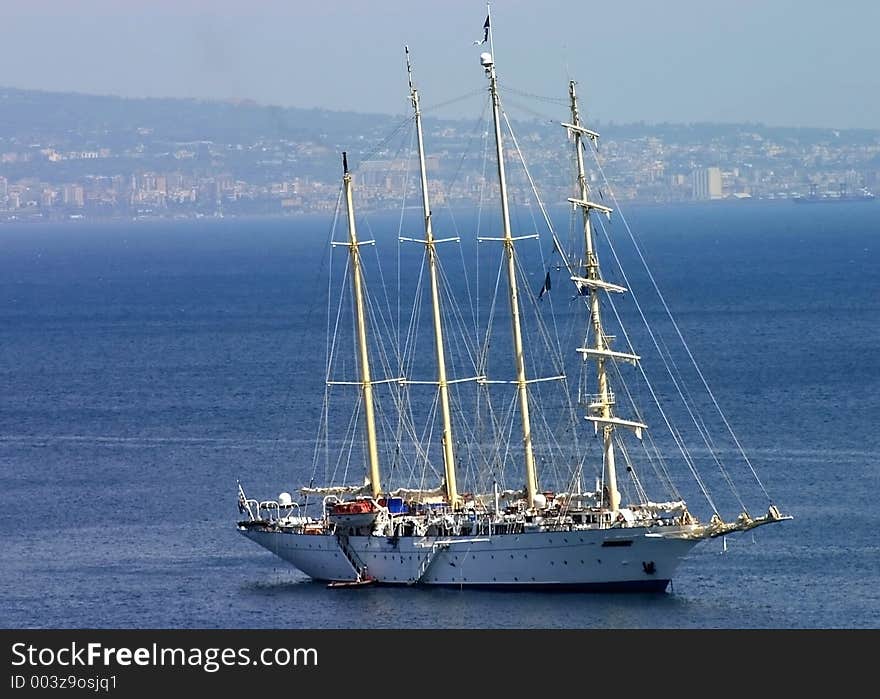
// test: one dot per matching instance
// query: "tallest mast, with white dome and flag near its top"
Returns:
(487, 60)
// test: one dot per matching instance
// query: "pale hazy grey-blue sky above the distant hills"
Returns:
(781, 62)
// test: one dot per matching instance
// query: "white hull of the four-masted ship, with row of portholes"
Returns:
(599, 560)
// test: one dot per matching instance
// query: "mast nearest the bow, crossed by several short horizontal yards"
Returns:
(601, 351)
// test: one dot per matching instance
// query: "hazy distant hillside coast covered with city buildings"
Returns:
(72, 157)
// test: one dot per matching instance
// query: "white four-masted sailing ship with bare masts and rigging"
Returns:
(489, 534)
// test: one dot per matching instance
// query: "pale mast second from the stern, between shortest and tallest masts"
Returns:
(431, 250)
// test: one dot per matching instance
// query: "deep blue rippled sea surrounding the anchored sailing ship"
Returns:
(145, 367)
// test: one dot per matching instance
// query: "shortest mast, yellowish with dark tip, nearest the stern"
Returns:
(361, 320)
